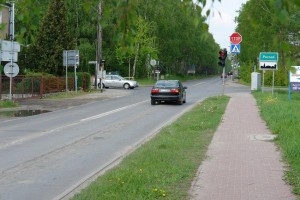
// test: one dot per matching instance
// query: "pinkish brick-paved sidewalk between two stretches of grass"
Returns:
(242, 162)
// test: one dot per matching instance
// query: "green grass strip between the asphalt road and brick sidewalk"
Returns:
(164, 167)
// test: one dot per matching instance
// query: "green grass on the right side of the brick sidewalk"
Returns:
(282, 117)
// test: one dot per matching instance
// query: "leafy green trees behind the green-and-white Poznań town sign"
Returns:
(265, 29)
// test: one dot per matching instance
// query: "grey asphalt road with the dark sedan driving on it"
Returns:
(53, 155)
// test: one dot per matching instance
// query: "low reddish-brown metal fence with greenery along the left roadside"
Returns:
(38, 86)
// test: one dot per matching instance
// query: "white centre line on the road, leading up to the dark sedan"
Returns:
(40, 134)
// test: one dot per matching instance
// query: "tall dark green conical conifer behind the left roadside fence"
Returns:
(46, 52)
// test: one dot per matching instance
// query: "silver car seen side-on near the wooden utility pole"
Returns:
(117, 81)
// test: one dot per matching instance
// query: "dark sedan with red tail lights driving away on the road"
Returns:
(168, 91)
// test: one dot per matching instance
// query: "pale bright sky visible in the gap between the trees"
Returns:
(221, 20)
